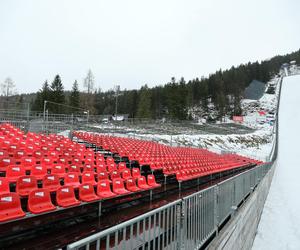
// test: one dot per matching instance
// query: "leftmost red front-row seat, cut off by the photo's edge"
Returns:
(10, 207)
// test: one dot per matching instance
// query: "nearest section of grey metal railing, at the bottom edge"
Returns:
(157, 229)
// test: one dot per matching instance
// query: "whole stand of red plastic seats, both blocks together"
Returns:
(43, 174)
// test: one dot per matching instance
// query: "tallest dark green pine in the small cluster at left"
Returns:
(57, 96)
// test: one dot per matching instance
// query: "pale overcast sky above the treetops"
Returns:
(134, 42)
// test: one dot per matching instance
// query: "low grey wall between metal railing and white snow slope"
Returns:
(240, 231)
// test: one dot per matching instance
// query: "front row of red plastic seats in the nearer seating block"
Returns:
(39, 199)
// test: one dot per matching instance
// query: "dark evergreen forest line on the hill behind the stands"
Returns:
(177, 99)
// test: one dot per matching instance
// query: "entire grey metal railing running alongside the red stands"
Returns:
(187, 223)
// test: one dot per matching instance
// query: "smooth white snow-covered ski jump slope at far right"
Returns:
(279, 227)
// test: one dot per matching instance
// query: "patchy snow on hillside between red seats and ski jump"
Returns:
(256, 143)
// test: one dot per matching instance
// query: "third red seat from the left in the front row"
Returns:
(65, 197)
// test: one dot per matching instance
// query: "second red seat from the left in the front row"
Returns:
(39, 201)
